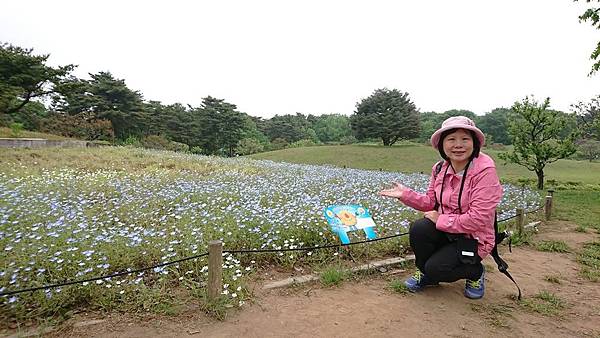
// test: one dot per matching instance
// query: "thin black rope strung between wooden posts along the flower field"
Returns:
(132, 271)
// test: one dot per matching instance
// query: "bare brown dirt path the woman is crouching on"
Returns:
(367, 307)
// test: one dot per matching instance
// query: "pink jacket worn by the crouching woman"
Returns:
(481, 194)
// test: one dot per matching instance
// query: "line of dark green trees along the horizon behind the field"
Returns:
(51, 99)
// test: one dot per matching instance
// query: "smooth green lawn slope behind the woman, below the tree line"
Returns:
(412, 157)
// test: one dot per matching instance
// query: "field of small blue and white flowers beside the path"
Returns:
(70, 222)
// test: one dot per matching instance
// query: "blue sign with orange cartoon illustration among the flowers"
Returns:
(345, 218)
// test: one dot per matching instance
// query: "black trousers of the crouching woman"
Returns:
(437, 257)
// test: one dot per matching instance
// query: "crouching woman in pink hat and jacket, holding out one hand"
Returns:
(459, 206)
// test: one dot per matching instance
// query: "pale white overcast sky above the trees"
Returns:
(283, 57)
